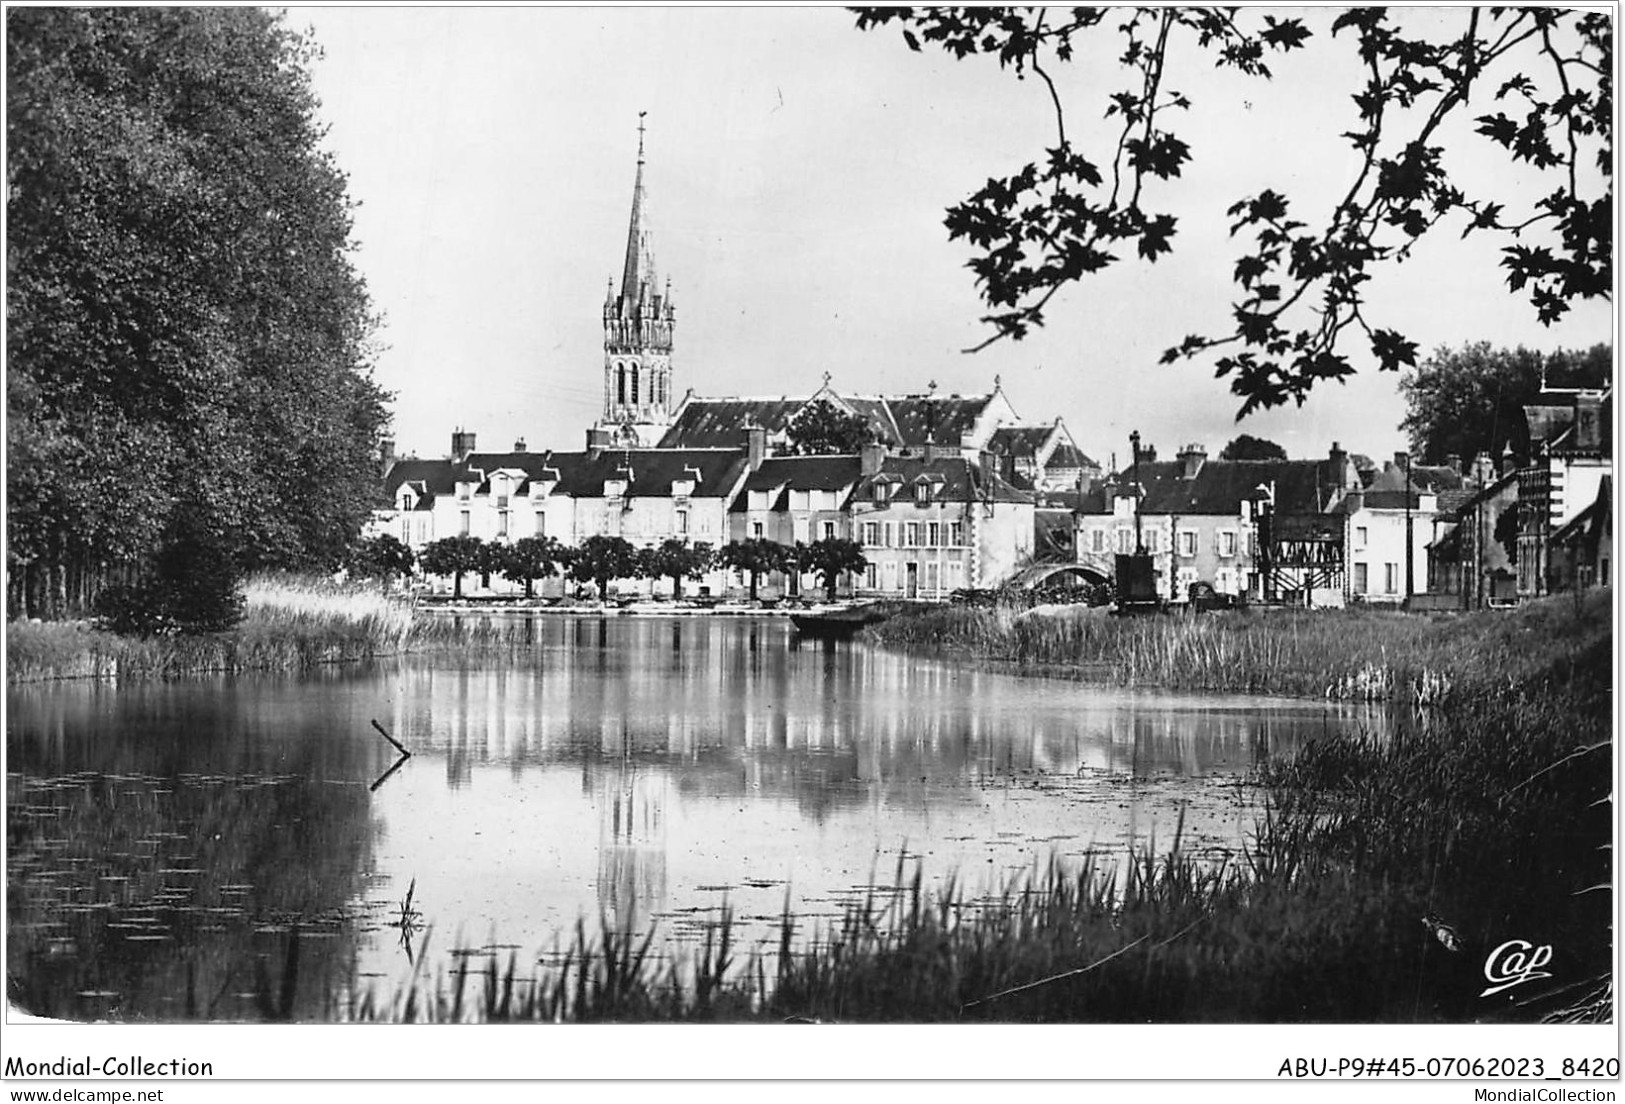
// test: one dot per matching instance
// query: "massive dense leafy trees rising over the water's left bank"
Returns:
(186, 333)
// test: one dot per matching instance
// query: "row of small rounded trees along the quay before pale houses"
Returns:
(605, 560)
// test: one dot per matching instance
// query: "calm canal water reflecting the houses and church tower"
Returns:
(173, 843)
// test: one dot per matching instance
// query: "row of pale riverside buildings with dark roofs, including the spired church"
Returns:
(956, 492)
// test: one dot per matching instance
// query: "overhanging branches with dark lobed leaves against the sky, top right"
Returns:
(1536, 84)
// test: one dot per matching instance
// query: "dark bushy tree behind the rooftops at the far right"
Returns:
(1470, 402)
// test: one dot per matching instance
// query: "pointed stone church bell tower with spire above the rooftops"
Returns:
(639, 321)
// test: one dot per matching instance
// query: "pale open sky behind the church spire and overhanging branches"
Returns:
(797, 173)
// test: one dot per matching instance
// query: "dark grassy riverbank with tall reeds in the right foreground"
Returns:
(1377, 885)
